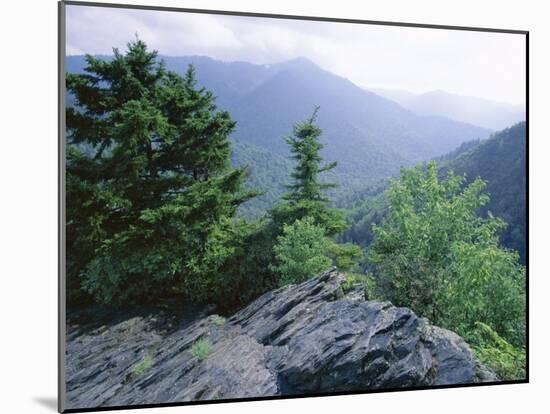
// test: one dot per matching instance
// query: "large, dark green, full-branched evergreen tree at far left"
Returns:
(151, 196)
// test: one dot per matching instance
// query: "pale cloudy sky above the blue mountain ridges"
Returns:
(418, 60)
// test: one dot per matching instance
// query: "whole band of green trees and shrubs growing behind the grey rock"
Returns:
(152, 213)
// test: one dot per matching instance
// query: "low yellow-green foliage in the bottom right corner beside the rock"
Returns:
(507, 361)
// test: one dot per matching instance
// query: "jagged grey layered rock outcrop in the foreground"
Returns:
(303, 339)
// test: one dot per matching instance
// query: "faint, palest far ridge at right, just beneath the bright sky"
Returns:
(477, 111)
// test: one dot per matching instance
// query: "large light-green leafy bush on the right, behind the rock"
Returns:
(434, 254)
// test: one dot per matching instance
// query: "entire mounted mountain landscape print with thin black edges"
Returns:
(266, 206)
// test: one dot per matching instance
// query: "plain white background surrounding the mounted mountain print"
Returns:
(28, 204)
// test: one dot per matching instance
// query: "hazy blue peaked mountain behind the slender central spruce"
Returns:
(371, 137)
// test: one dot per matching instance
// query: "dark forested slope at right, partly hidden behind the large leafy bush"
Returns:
(499, 160)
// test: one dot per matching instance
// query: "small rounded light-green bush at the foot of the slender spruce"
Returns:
(300, 252)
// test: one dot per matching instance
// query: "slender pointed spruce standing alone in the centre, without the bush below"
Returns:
(306, 196)
